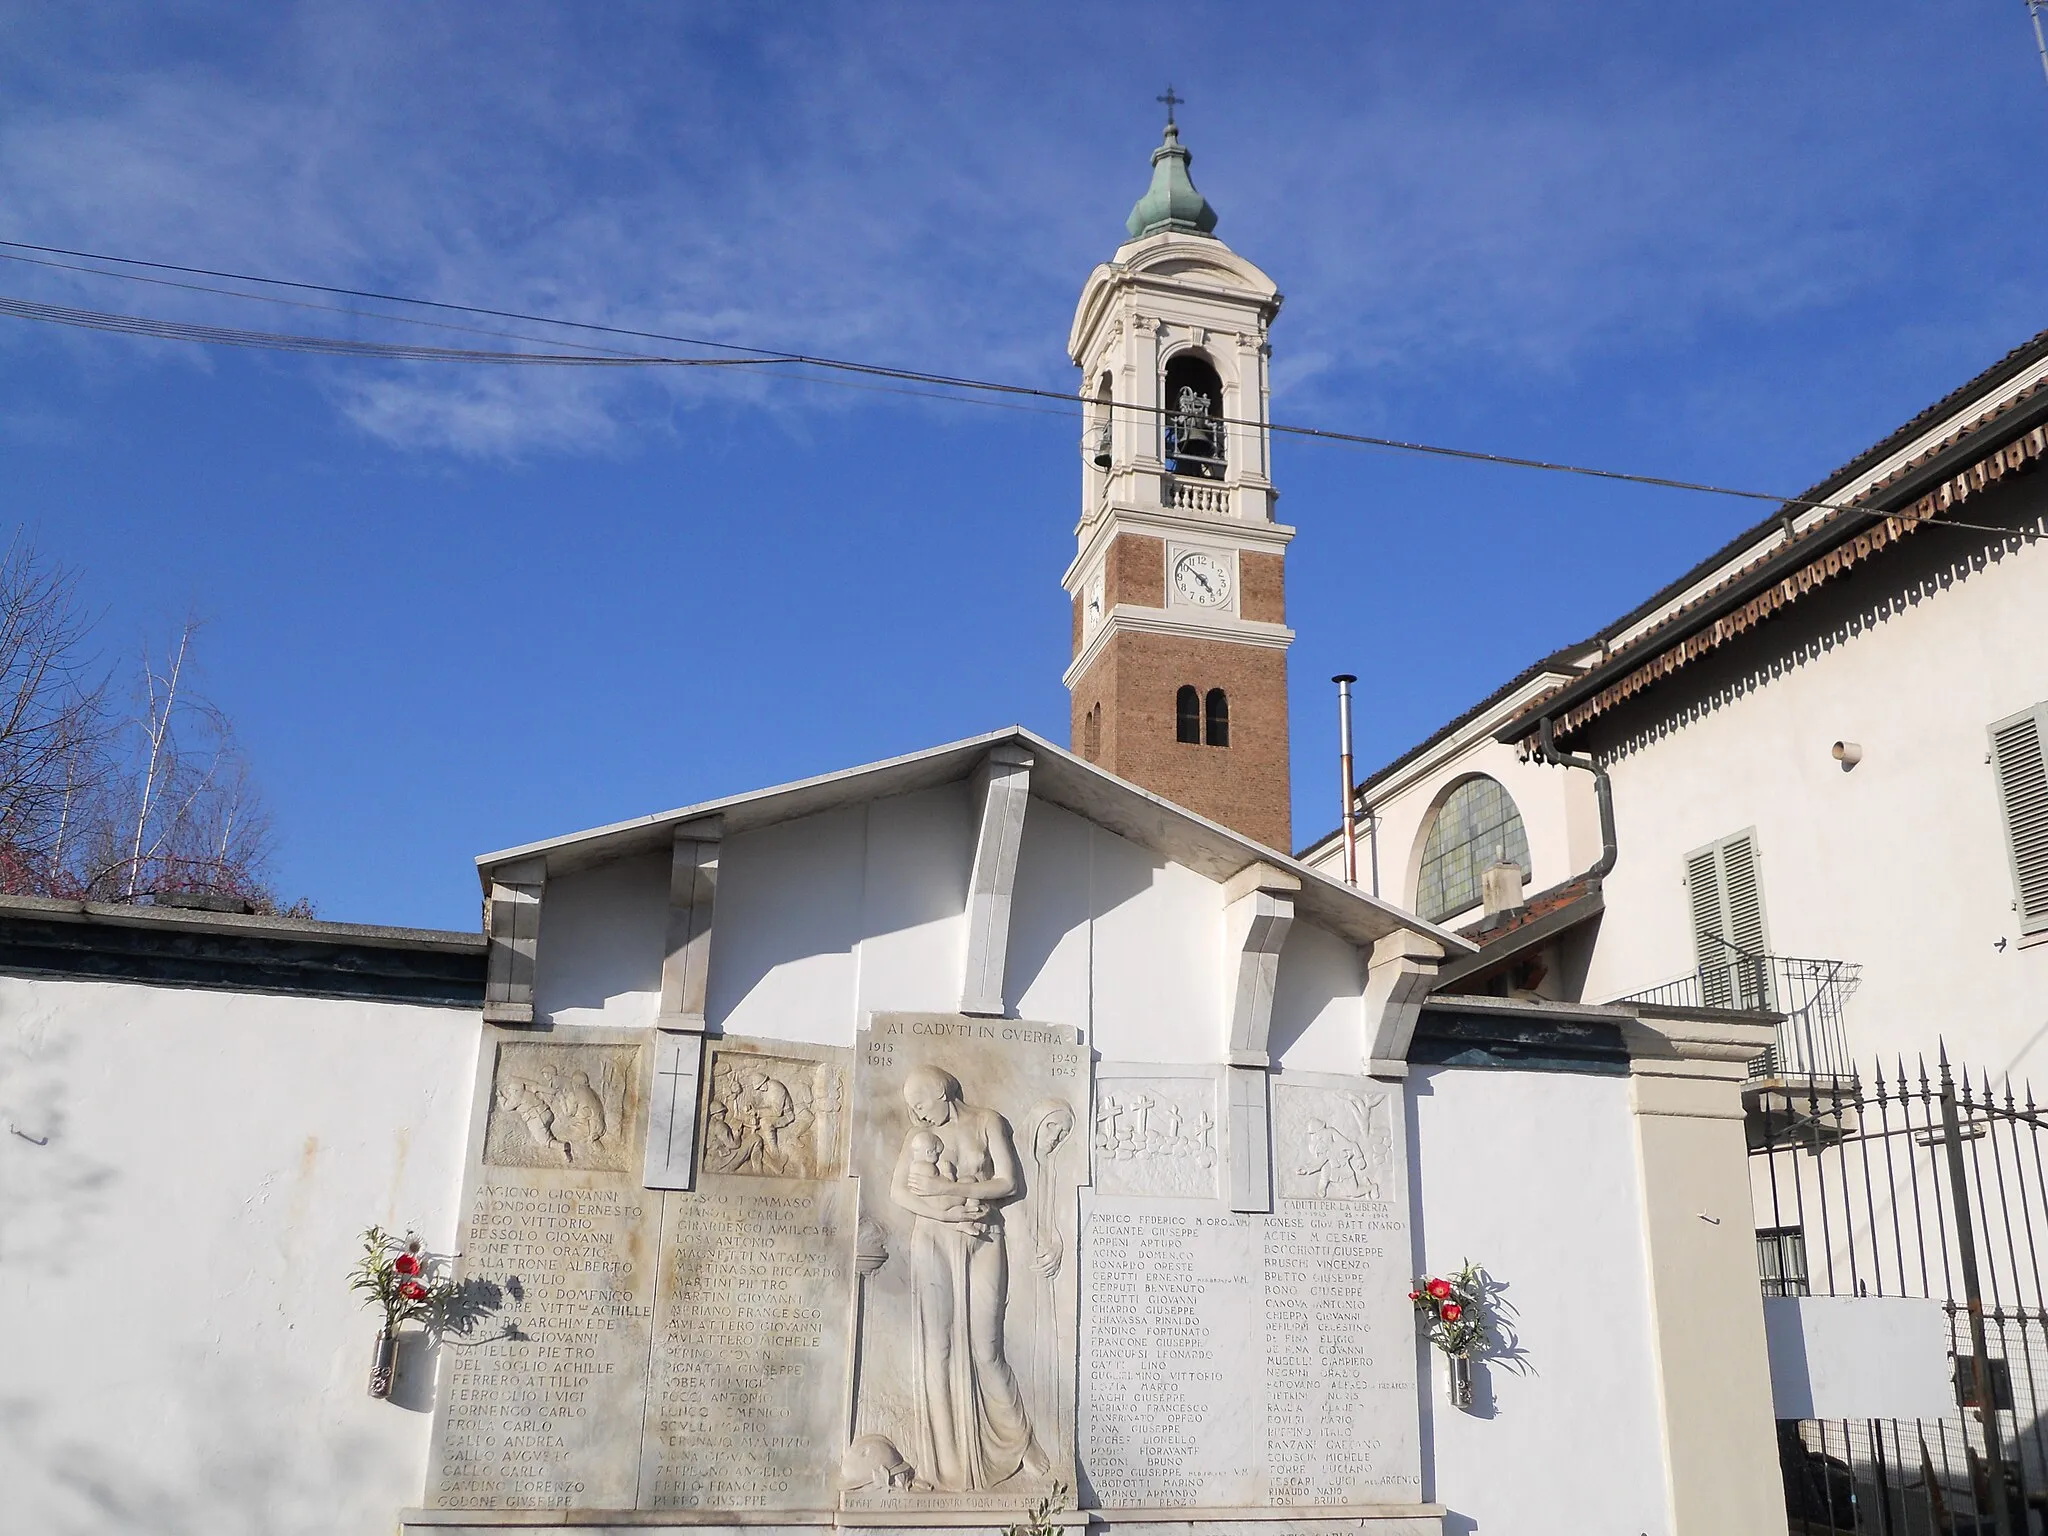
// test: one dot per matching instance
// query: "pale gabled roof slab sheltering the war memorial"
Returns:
(1058, 777)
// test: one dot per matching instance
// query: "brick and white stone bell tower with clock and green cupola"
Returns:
(1181, 638)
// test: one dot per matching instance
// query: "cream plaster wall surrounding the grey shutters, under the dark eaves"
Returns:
(1897, 865)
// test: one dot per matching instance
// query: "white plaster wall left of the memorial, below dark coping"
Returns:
(181, 1349)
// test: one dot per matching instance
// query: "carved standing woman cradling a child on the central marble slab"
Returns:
(955, 1170)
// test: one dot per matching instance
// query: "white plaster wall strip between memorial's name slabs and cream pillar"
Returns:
(1535, 1177)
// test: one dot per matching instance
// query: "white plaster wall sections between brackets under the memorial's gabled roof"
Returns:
(830, 919)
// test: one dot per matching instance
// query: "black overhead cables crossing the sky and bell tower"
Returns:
(749, 357)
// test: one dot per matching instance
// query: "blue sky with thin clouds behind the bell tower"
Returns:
(464, 609)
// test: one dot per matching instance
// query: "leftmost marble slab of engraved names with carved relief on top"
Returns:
(540, 1408)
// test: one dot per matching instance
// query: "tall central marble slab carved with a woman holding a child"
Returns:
(970, 1164)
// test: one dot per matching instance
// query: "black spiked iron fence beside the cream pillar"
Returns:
(1926, 1183)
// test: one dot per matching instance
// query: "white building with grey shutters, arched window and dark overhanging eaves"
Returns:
(1826, 761)
